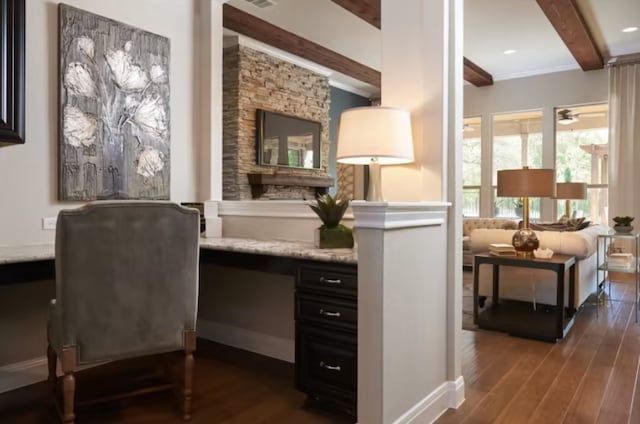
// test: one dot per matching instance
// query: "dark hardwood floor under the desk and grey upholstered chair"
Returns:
(231, 386)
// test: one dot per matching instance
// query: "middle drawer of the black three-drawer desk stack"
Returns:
(326, 311)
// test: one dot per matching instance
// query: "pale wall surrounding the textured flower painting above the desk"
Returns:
(28, 187)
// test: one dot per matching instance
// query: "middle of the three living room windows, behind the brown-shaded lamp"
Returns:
(517, 142)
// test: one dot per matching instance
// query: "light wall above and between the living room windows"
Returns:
(542, 92)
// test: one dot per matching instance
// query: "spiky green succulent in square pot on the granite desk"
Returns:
(331, 234)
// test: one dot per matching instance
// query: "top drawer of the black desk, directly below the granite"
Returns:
(331, 278)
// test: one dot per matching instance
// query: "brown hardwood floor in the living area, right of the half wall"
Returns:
(590, 377)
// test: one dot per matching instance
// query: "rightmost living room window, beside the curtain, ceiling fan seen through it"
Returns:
(582, 152)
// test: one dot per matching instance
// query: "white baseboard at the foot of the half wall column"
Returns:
(449, 394)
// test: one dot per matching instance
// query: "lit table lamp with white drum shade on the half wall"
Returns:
(374, 136)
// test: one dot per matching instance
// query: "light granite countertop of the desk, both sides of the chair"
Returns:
(291, 249)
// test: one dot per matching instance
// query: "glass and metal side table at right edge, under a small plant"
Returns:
(603, 249)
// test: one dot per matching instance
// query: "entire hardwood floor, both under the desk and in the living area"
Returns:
(590, 377)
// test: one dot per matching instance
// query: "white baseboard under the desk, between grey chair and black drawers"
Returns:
(264, 344)
